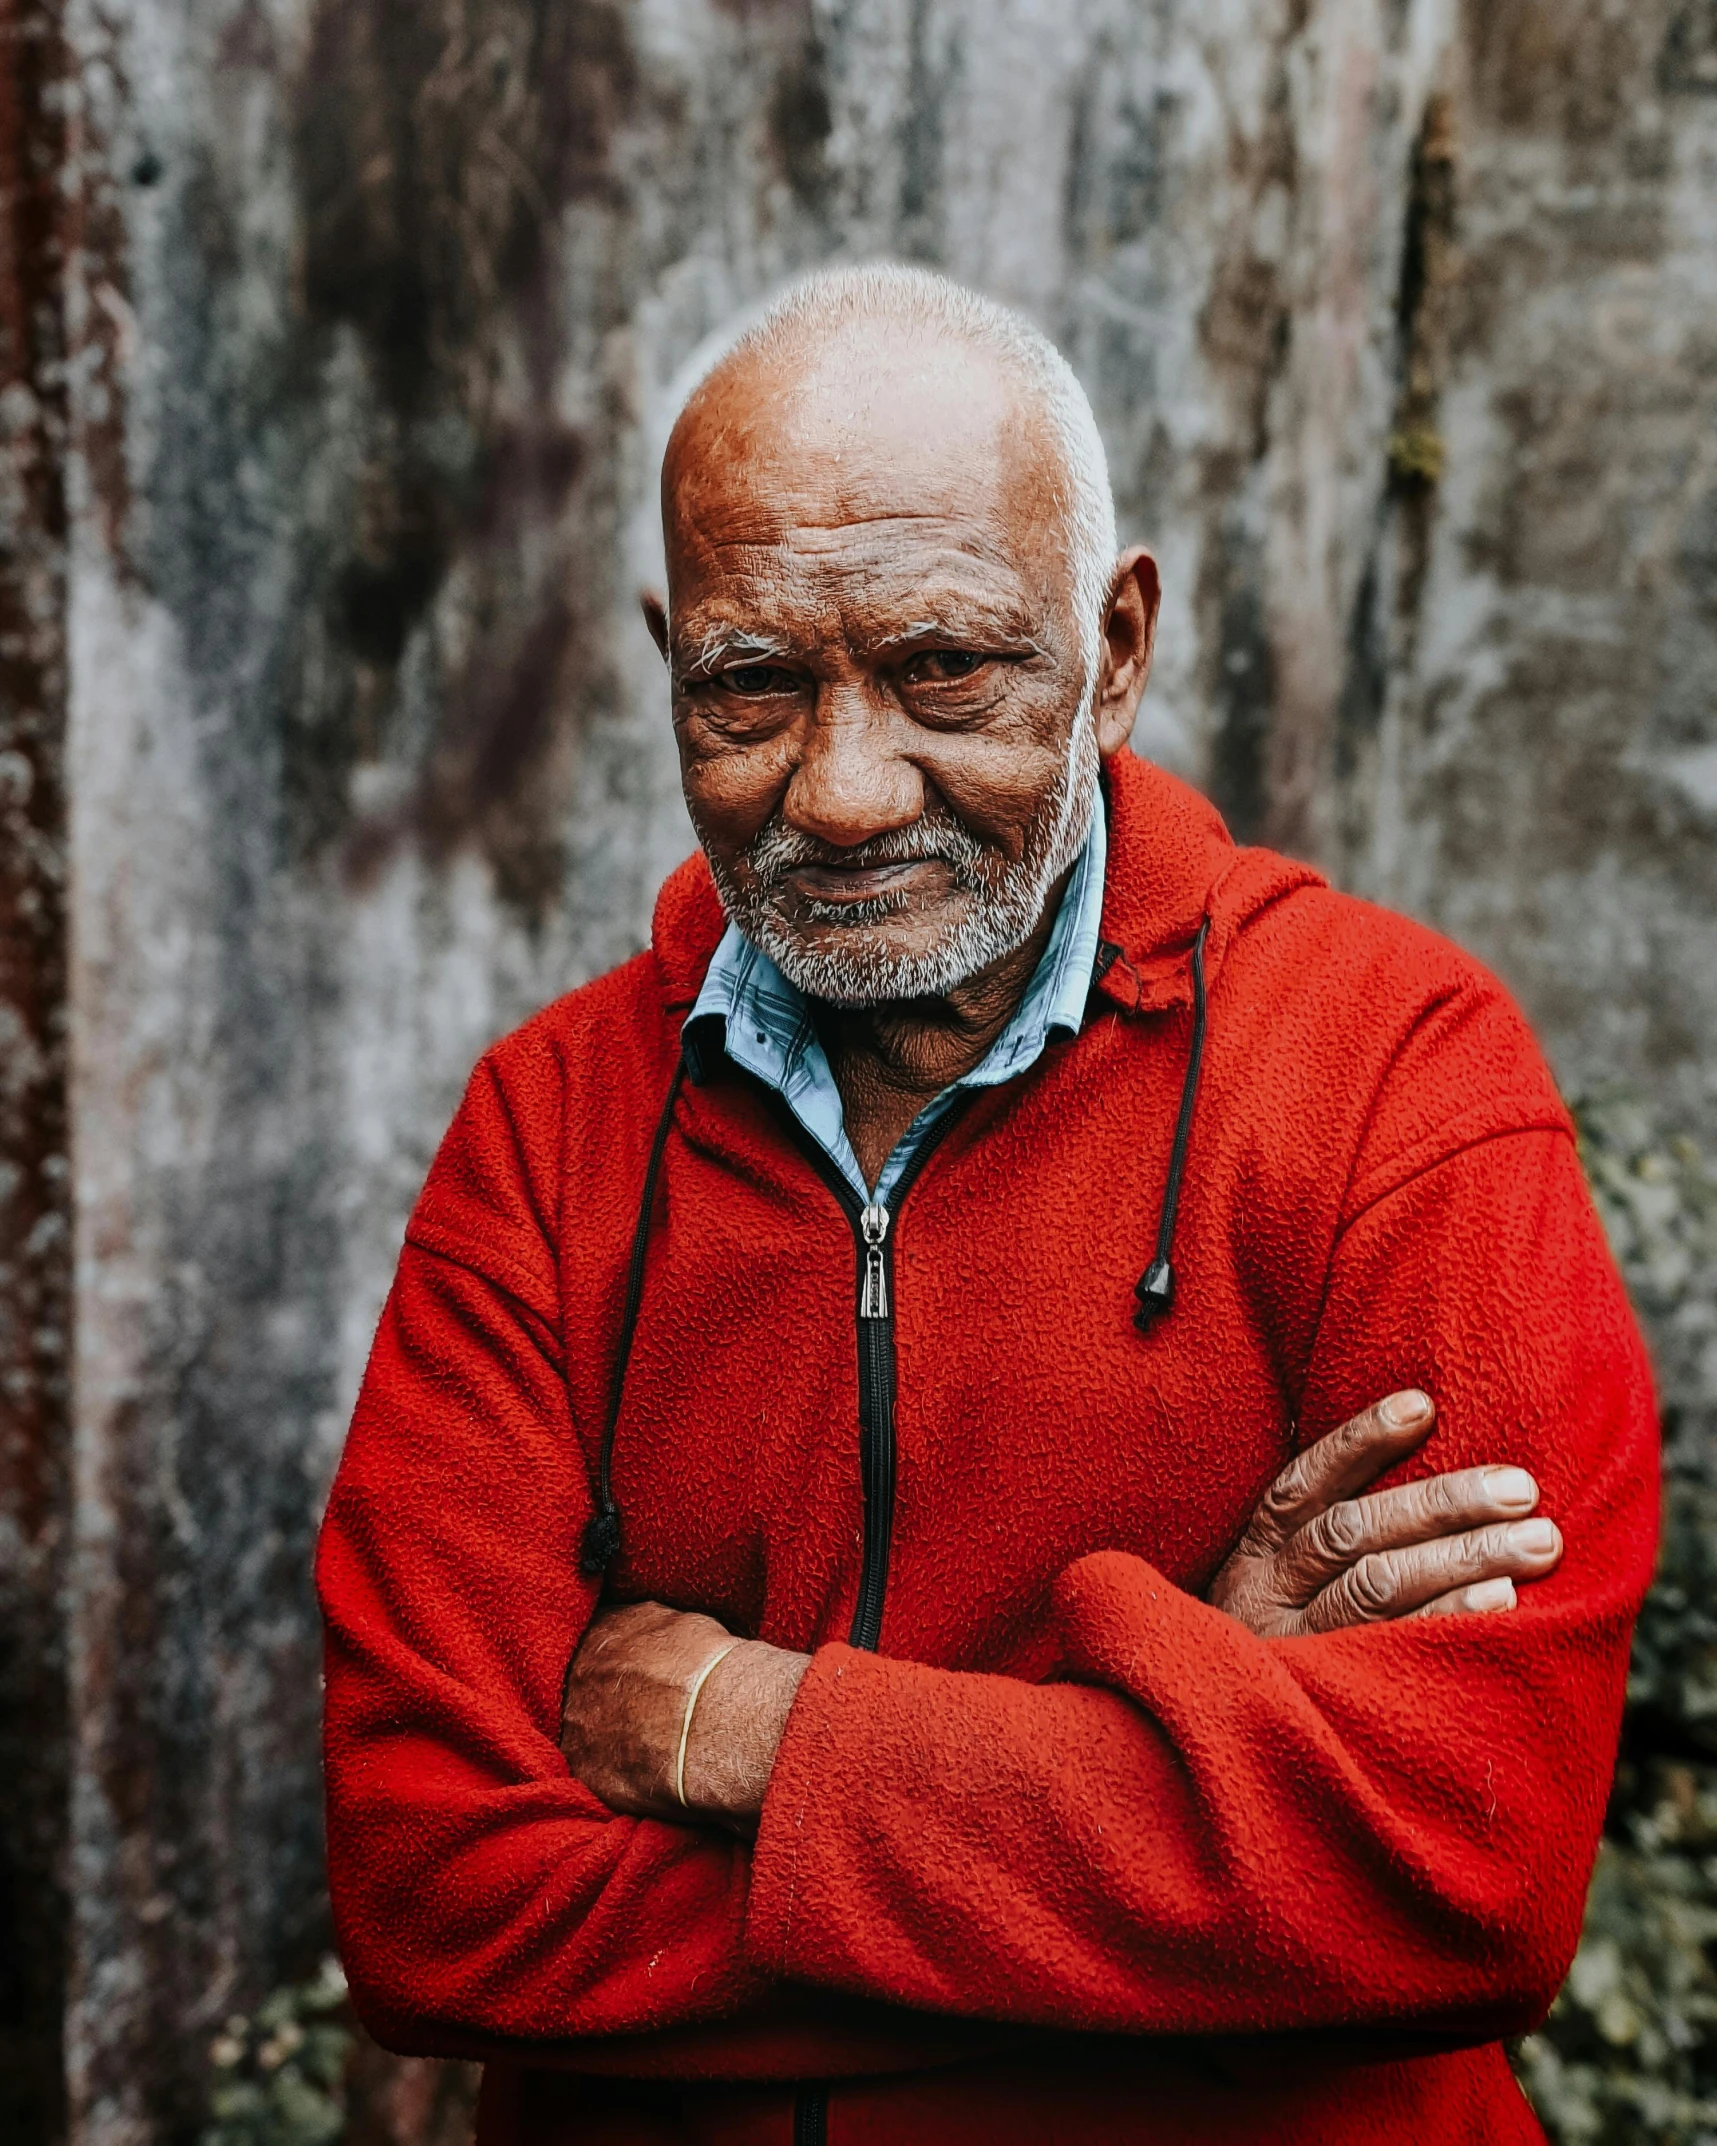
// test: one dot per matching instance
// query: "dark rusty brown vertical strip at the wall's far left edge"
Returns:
(35, 1194)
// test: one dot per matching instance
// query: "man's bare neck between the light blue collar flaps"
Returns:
(894, 1059)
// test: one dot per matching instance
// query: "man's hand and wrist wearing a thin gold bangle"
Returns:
(626, 1709)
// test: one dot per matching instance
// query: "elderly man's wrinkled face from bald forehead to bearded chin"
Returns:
(881, 688)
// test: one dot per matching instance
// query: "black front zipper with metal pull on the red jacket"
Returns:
(875, 1317)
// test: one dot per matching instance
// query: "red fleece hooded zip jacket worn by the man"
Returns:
(1070, 1855)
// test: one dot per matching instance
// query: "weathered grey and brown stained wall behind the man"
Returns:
(336, 344)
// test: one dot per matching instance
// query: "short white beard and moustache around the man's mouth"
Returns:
(1006, 902)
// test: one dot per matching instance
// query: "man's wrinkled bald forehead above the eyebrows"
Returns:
(877, 473)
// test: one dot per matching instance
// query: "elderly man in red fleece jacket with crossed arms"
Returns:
(862, 1593)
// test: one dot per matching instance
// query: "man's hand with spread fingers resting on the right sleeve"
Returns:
(1317, 1557)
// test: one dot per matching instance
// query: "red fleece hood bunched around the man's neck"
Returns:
(1171, 864)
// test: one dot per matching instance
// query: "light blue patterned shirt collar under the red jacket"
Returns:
(769, 1027)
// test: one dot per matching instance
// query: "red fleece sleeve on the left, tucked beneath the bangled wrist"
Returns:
(480, 1890)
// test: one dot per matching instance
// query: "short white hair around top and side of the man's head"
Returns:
(920, 299)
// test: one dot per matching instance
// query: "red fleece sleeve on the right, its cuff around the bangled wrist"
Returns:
(1207, 1832)
